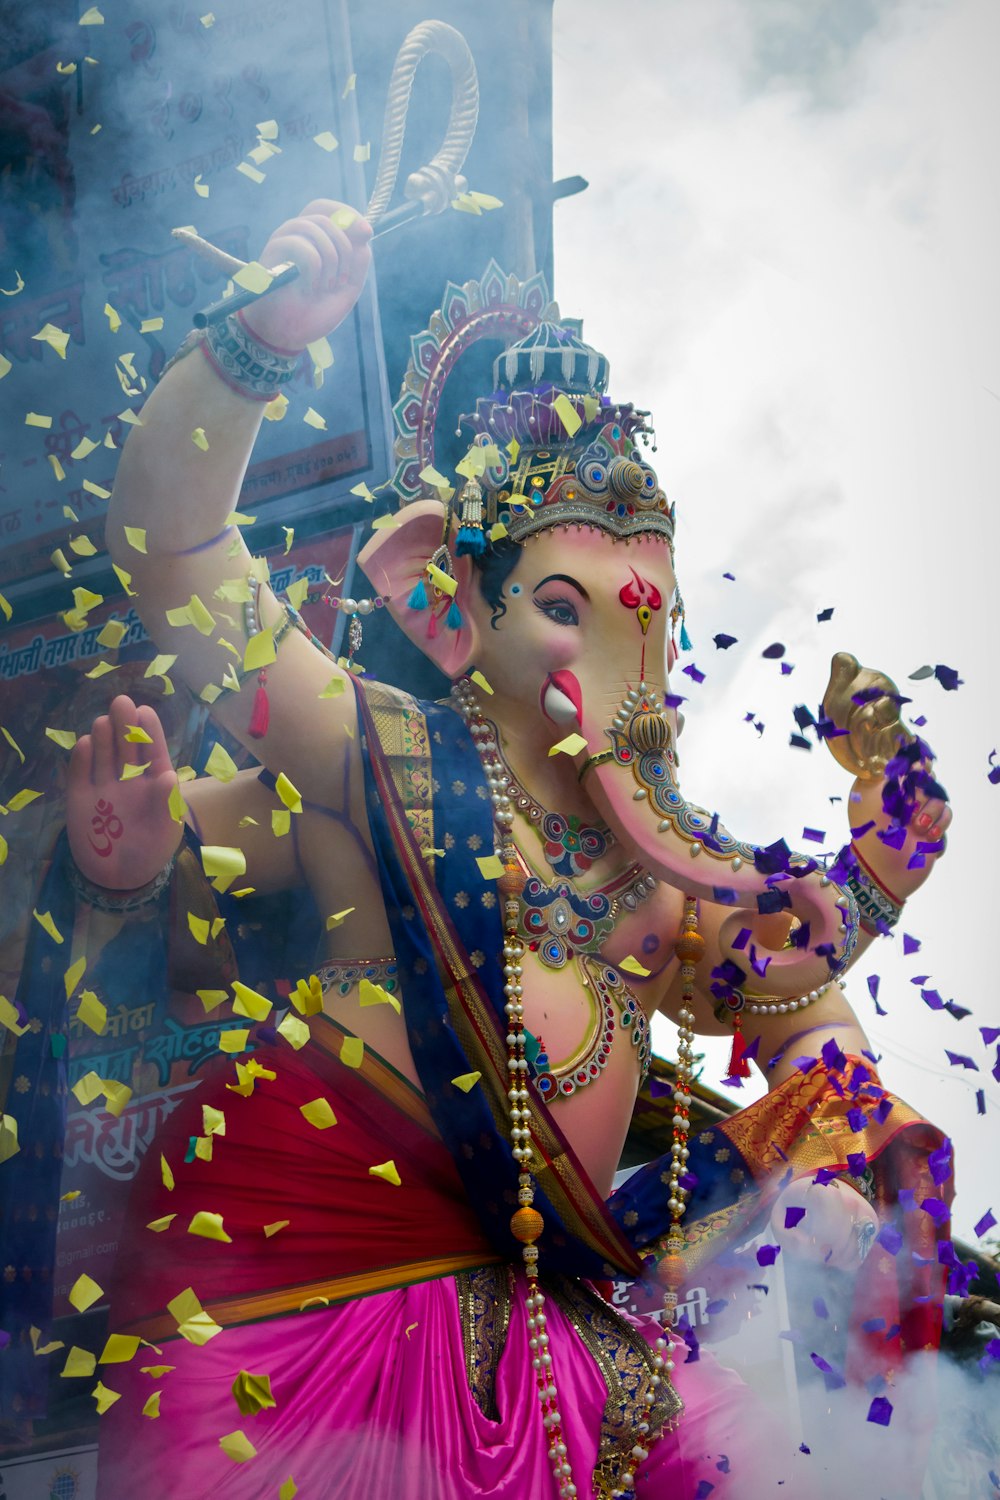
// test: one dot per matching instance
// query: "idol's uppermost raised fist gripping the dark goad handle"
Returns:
(331, 245)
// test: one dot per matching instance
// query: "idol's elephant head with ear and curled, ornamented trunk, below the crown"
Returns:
(572, 626)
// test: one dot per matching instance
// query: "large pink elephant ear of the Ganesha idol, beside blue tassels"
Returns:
(397, 560)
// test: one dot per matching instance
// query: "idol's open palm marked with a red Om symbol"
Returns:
(121, 832)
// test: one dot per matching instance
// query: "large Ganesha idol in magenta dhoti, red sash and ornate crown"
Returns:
(516, 884)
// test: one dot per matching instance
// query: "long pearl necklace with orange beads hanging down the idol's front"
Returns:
(527, 1223)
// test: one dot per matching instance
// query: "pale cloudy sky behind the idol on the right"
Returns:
(789, 253)
